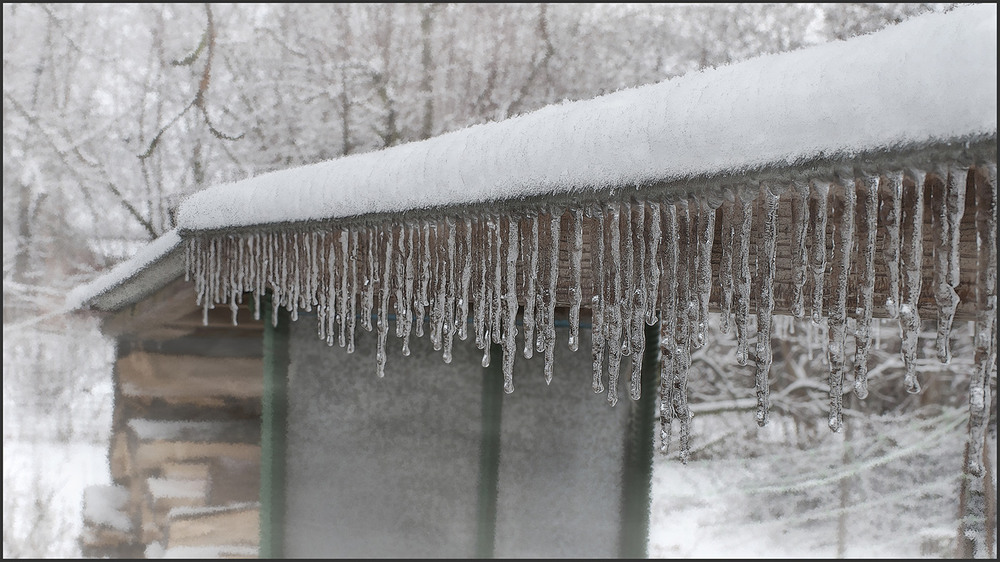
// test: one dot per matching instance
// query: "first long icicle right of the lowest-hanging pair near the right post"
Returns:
(765, 306)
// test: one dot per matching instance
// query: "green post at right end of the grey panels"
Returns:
(637, 474)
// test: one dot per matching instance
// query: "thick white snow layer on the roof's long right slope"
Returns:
(930, 79)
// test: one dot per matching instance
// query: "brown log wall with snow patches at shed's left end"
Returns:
(185, 446)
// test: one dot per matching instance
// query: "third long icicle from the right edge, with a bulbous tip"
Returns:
(912, 258)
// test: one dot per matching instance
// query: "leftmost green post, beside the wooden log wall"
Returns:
(273, 426)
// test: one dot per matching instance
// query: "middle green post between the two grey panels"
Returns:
(489, 454)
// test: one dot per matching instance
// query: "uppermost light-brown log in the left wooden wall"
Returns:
(173, 376)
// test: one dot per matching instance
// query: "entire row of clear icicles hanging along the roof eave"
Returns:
(651, 263)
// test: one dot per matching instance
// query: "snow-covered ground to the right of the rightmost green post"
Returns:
(895, 495)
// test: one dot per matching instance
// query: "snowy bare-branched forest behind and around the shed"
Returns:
(113, 113)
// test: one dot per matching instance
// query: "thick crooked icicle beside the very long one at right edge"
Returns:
(949, 207)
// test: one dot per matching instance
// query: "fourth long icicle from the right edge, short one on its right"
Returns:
(863, 337)
